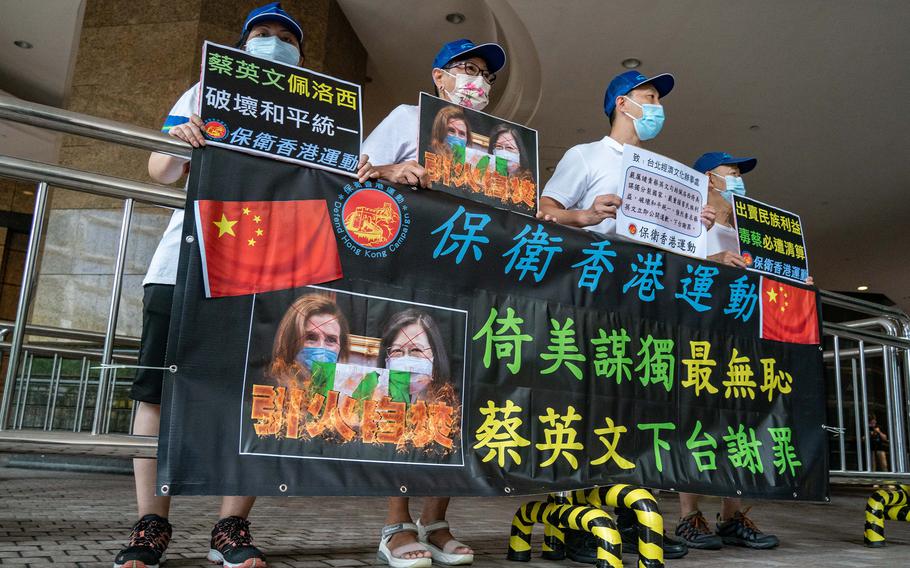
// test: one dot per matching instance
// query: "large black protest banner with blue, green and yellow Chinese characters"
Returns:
(471, 351)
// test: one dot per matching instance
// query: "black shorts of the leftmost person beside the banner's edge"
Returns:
(156, 321)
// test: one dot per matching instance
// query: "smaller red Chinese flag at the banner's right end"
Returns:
(788, 313)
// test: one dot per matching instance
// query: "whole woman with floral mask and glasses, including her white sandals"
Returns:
(463, 73)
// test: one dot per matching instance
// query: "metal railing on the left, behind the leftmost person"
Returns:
(58, 346)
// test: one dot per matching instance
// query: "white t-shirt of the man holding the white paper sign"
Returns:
(586, 172)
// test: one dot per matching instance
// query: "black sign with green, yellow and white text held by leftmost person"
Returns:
(285, 112)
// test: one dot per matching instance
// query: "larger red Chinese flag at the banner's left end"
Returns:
(257, 246)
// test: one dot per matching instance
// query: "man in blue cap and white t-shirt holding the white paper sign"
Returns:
(585, 188)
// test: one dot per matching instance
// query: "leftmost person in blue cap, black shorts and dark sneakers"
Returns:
(267, 32)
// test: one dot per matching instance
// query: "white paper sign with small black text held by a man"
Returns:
(662, 201)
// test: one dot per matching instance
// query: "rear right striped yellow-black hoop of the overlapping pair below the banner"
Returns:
(647, 514)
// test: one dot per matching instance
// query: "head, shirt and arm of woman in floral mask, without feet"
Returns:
(463, 73)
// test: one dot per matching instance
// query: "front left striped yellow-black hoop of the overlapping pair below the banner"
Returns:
(565, 516)
